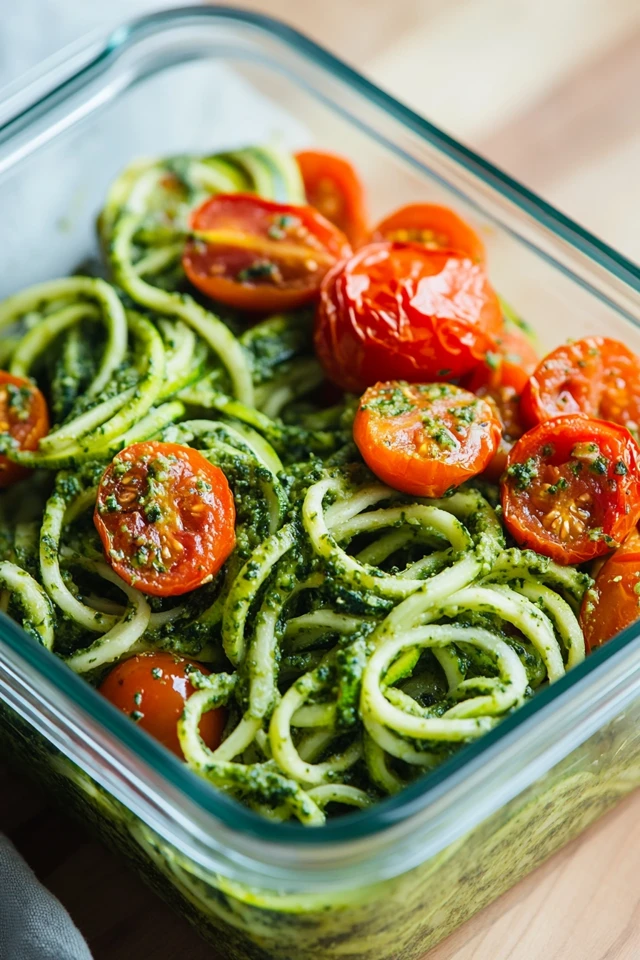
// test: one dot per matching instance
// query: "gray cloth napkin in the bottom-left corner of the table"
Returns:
(33, 924)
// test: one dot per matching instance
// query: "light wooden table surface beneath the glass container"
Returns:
(550, 91)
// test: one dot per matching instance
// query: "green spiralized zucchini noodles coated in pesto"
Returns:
(357, 636)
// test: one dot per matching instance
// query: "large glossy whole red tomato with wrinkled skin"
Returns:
(400, 311)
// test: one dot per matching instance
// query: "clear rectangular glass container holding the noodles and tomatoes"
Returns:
(392, 881)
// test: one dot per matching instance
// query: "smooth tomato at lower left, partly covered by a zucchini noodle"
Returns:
(152, 688)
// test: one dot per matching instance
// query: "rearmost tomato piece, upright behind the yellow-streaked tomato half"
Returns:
(334, 188)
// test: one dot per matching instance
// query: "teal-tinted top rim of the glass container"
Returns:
(415, 798)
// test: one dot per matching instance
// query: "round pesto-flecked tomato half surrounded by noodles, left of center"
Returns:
(166, 517)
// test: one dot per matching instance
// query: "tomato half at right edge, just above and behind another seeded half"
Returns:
(595, 376)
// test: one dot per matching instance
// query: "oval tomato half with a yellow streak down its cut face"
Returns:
(258, 255)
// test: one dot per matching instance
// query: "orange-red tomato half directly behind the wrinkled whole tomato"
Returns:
(438, 228)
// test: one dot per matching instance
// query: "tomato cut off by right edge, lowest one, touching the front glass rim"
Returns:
(614, 601)
